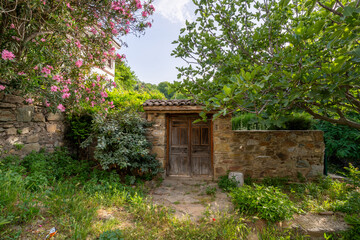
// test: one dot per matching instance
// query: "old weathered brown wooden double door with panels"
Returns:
(189, 147)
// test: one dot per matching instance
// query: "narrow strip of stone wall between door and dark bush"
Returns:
(157, 136)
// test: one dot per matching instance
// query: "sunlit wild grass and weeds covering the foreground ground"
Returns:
(44, 191)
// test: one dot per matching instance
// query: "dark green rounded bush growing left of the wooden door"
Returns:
(121, 144)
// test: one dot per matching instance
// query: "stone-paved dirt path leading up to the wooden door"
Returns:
(189, 197)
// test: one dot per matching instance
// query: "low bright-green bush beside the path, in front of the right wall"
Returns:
(268, 203)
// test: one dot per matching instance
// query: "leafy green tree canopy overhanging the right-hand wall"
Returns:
(269, 57)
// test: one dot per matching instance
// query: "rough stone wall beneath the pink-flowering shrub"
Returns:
(24, 128)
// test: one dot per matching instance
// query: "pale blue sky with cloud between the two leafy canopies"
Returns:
(149, 56)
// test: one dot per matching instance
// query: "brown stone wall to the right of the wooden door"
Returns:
(260, 154)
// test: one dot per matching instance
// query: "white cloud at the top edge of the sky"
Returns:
(177, 11)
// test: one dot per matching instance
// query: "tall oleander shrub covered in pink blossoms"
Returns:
(48, 48)
